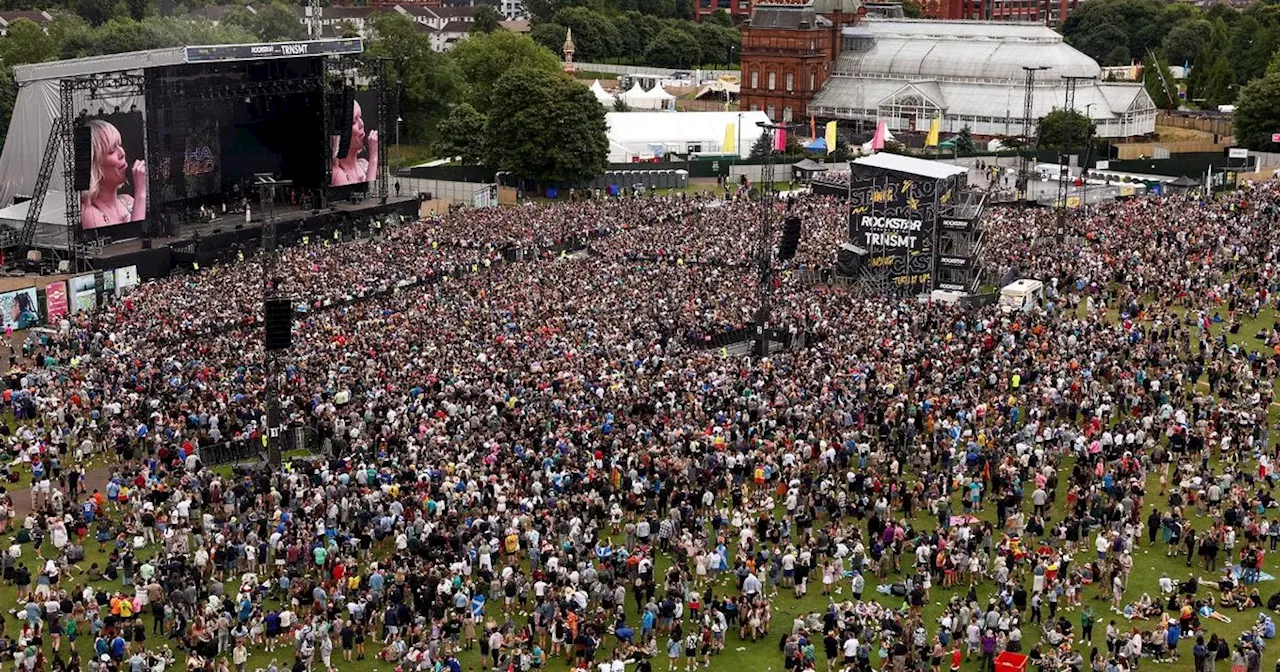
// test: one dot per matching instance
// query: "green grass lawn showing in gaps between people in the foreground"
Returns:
(765, 657)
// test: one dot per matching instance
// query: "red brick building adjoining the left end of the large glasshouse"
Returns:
(788, 53)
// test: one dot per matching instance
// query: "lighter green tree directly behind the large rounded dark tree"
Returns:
(484, 58)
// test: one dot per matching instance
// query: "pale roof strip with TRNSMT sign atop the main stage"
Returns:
(179, 56)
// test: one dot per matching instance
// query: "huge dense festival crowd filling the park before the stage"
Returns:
(537, 463)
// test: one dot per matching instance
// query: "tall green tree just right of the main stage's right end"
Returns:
(429, 83)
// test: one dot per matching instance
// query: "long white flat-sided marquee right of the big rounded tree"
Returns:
(651, 134)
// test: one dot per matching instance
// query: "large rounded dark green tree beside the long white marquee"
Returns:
(547, 127)
